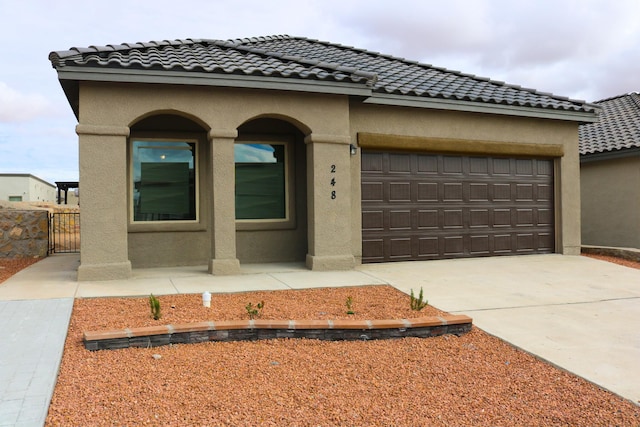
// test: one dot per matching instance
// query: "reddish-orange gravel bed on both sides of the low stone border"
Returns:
(475, 379)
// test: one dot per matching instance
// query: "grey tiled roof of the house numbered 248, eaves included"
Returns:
(298, 63)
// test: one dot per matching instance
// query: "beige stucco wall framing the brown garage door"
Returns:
(464, 128)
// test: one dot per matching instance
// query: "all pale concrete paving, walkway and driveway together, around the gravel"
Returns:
(580, 314)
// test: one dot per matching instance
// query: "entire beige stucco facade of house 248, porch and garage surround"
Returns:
(331, 220)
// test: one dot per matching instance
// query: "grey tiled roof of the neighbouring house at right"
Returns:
(618, 127)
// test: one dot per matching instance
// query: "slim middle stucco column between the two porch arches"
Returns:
(223, 213)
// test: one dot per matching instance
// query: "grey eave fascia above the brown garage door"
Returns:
(477, 107)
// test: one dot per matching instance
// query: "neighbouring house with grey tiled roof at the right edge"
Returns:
(610, 174)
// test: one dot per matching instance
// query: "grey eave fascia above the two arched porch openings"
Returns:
(210, 79)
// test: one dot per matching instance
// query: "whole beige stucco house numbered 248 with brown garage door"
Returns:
(280, 149)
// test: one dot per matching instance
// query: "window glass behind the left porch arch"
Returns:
(164, 180)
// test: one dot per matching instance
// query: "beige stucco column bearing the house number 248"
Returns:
(329, 202)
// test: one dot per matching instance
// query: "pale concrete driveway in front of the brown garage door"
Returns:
(580, 314)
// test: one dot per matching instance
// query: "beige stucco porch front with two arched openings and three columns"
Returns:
(106, 113)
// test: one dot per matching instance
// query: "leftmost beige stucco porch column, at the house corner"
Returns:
(103, 204)
